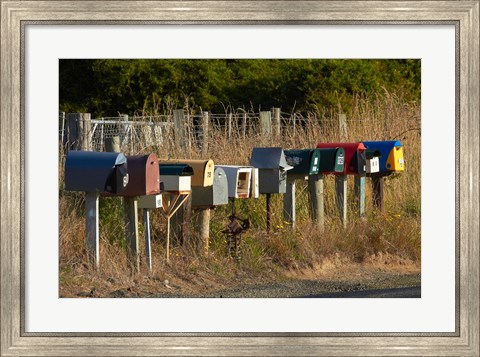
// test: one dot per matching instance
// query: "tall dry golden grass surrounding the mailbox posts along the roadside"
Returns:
(396, 232)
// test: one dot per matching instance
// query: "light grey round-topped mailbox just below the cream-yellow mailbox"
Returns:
(214, 195)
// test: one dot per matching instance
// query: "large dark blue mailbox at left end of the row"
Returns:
(92, 171)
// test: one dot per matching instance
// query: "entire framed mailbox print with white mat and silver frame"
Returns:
(54, 302)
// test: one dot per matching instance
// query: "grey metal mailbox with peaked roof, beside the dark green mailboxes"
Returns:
(272, 169)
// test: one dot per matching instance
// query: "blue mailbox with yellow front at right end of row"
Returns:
(391, 159)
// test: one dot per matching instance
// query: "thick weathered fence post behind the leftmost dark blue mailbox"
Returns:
(79, 131)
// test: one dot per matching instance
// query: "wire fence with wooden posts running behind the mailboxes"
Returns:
(183, 134)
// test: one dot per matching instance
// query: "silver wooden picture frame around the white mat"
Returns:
(16, 15)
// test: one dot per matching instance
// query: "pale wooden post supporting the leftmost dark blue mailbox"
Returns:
(92, 241)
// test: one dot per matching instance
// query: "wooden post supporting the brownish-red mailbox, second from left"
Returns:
(130, 209)
